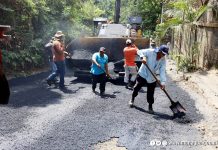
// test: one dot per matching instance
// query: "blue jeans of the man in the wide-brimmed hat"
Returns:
(60, 71)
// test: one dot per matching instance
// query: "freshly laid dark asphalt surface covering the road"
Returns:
(42, 117)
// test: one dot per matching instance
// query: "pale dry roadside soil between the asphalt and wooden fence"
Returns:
(205, 85)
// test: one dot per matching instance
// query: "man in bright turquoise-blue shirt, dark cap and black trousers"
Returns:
(99, 70)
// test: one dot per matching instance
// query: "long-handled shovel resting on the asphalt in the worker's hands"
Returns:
(177, 109)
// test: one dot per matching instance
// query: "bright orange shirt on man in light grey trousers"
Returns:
(130, 53)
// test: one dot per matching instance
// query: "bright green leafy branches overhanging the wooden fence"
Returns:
(179, 12)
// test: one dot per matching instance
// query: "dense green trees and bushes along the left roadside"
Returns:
(34, 22)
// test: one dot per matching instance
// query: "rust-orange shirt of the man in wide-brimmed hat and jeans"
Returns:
(58, 51)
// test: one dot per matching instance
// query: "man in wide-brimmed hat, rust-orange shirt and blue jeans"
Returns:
(58, 58)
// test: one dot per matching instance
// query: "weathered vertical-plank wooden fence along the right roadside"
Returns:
(198, 41)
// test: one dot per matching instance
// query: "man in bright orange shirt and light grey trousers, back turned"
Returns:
(130, 52)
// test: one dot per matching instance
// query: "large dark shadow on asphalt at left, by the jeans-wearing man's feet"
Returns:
(33, 91)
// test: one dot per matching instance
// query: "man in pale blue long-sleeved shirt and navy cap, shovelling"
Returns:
(155, 59)
